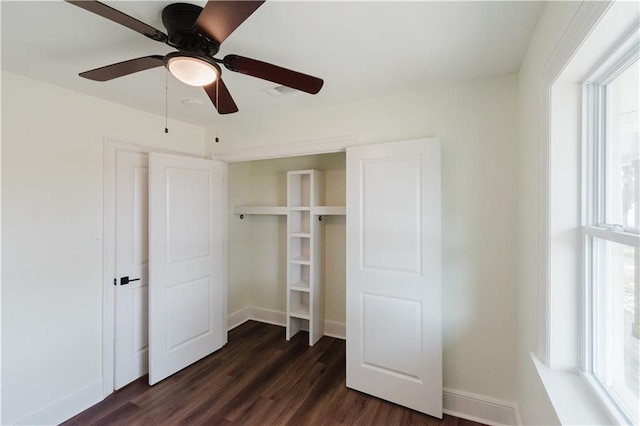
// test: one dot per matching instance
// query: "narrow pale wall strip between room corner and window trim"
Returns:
(533, 401)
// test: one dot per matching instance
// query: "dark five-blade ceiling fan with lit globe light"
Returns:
(197, 33)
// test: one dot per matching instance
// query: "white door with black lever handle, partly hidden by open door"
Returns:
(131, 316)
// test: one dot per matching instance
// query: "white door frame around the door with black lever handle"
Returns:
(111, 148)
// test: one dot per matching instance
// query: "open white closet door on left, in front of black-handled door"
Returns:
(187, 274)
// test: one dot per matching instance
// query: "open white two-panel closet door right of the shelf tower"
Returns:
(394, 336)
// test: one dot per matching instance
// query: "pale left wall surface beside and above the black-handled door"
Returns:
(52, 221)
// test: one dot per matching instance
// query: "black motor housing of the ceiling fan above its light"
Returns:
(179, 19)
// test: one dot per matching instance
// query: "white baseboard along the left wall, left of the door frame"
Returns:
(64, 408)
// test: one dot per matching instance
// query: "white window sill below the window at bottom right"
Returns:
(573, 397)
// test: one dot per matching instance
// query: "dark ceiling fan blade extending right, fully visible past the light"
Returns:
(276, 74)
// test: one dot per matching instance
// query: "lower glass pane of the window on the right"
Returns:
(616, 319)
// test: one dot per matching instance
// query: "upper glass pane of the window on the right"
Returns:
(622, 150)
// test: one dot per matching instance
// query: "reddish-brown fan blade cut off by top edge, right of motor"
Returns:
(219, 19)
